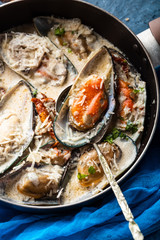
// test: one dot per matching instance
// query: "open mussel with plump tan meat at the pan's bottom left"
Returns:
(37, 183)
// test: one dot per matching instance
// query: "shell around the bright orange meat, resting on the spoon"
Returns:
(99, 64)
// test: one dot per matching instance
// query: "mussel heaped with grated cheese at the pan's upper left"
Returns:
(36, 59)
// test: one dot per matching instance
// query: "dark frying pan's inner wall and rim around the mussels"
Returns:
(20, 12)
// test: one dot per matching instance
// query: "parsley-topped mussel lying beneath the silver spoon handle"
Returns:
(88, 178)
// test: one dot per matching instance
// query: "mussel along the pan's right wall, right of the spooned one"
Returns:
(131, 89)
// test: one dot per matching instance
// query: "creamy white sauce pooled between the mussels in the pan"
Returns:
(73, 192)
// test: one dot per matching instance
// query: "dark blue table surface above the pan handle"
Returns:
(139, 12)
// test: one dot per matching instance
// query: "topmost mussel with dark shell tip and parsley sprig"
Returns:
(67, 34)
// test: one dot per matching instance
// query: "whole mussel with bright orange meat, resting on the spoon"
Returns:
(89, 104)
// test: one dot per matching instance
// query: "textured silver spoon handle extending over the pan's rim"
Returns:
(134, 228)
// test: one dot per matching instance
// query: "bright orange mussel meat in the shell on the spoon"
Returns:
(90, 102)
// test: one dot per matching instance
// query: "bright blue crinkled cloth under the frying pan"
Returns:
(103, 219)
